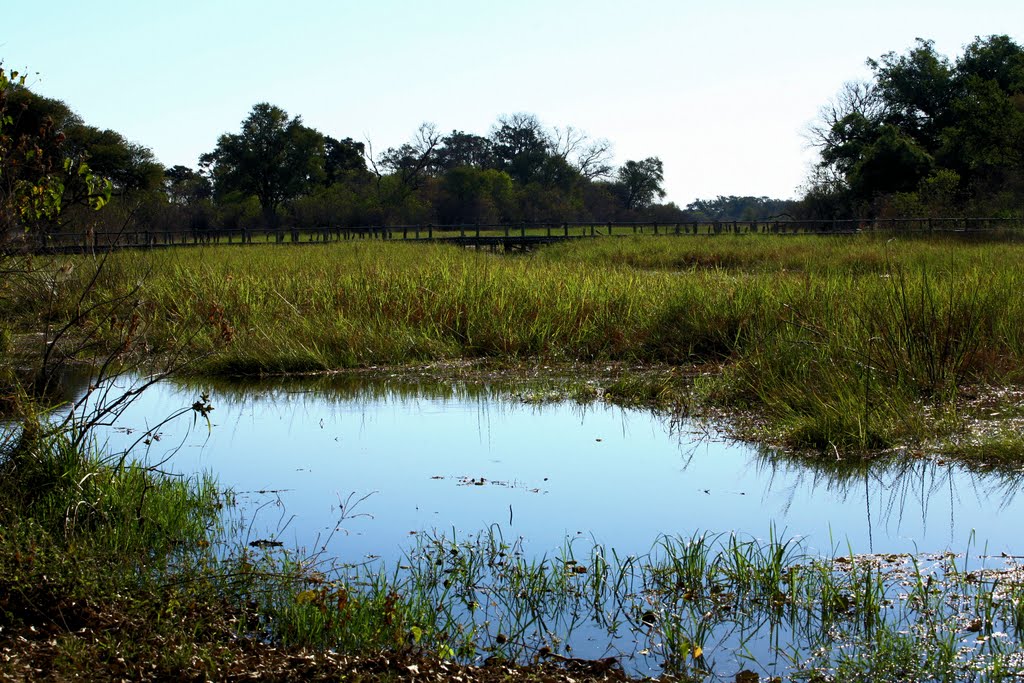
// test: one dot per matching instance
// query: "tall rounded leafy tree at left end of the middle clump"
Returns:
(274, 159)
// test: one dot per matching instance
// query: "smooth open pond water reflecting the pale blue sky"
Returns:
(621, 477)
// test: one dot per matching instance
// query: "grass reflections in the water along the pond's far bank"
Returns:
(892, 481)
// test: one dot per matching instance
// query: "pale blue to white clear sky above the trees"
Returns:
(721, 92)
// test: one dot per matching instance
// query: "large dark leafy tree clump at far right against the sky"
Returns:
(927, 134)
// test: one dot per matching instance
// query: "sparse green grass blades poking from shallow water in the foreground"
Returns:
(688, 609)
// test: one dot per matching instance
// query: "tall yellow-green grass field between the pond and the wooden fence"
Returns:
(849, 344)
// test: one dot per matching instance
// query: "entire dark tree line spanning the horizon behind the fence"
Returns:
(925, 137)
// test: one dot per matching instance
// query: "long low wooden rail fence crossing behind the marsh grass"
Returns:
(502, 236)
